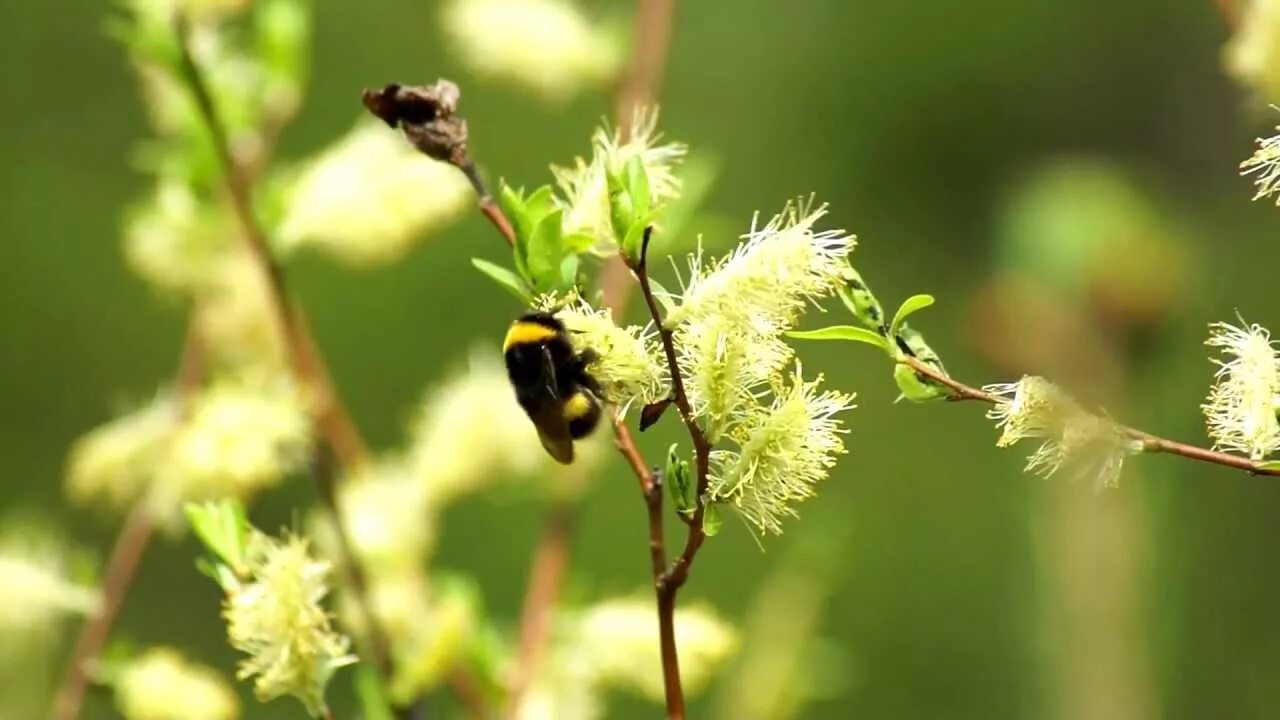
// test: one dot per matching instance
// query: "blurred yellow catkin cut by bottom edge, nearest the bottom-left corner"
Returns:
(162, 685)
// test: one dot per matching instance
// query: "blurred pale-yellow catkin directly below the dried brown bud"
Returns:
(369, 198)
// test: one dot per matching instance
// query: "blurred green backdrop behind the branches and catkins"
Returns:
(958, 587)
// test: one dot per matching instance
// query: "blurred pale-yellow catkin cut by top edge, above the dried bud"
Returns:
(546, 45)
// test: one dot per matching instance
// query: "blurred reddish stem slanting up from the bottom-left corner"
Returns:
(127, 553)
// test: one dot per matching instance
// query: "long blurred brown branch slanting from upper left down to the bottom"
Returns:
(332, 420)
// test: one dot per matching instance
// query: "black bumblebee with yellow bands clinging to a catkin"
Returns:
(552, 384)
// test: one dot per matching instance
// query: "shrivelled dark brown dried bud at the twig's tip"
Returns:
(428, 117)
